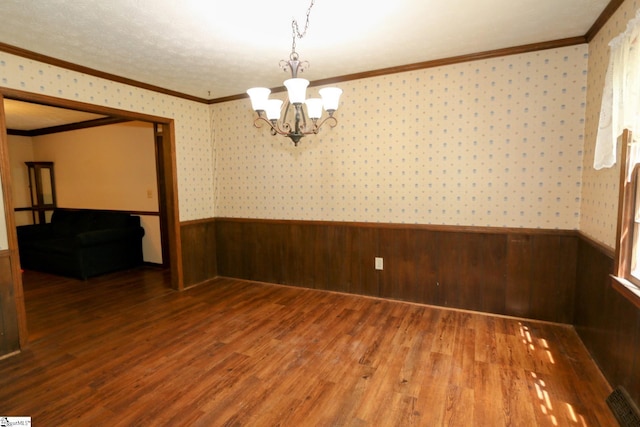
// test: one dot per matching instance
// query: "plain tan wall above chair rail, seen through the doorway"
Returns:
(106, 167)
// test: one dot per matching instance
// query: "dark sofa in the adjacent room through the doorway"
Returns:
(82, 243)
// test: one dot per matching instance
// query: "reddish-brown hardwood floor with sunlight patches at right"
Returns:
(126, 350)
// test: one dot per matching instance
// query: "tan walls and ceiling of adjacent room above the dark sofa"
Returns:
(91, 164)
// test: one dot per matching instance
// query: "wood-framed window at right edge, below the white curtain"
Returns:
(627, 262)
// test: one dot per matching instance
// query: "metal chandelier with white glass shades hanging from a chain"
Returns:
(291, 119)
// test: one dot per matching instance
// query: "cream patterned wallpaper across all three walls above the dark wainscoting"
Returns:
(499, 142)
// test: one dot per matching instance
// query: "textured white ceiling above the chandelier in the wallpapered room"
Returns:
(212, 49)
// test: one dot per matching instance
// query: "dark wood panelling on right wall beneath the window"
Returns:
(607, 322)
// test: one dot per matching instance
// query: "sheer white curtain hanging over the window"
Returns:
(620, 107)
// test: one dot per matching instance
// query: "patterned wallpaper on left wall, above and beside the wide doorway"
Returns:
(192, 120)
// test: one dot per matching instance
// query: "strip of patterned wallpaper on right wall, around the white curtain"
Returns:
(599, 209)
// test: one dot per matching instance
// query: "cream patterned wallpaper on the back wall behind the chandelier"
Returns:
(496, 142)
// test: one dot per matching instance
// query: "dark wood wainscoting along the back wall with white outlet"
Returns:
(519, 272)
